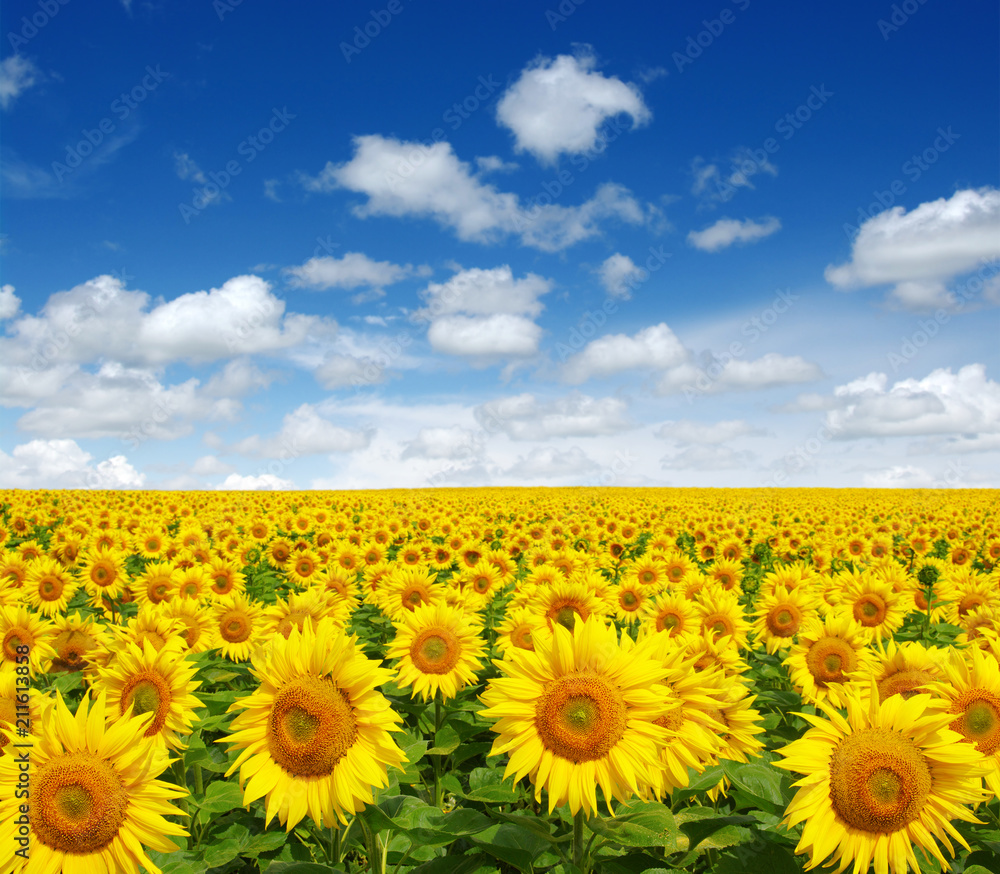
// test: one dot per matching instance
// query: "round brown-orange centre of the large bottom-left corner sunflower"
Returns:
(78, 803)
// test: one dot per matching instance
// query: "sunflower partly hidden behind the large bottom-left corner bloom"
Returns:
(154, 681)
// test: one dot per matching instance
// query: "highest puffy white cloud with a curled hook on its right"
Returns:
(558, 106)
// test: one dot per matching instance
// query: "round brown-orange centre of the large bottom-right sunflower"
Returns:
(879, 780)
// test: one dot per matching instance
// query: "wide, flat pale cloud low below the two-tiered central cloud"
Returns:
(526, 417)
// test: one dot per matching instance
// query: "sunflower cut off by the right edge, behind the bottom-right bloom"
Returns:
(973, 694)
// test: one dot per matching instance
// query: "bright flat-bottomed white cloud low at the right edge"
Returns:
(942, 403)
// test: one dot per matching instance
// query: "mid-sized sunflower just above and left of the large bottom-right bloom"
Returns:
(826, 656)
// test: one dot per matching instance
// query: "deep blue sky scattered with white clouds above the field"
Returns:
(404, 244)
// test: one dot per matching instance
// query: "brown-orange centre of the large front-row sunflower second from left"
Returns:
(311, 726)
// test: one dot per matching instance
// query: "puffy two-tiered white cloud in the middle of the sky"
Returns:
(484, 315)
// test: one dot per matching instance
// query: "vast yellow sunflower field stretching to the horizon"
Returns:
(466, 681)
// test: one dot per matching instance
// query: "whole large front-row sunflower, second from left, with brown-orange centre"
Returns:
(315, 735)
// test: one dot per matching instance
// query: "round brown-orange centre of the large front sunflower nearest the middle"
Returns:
(580, 717)
